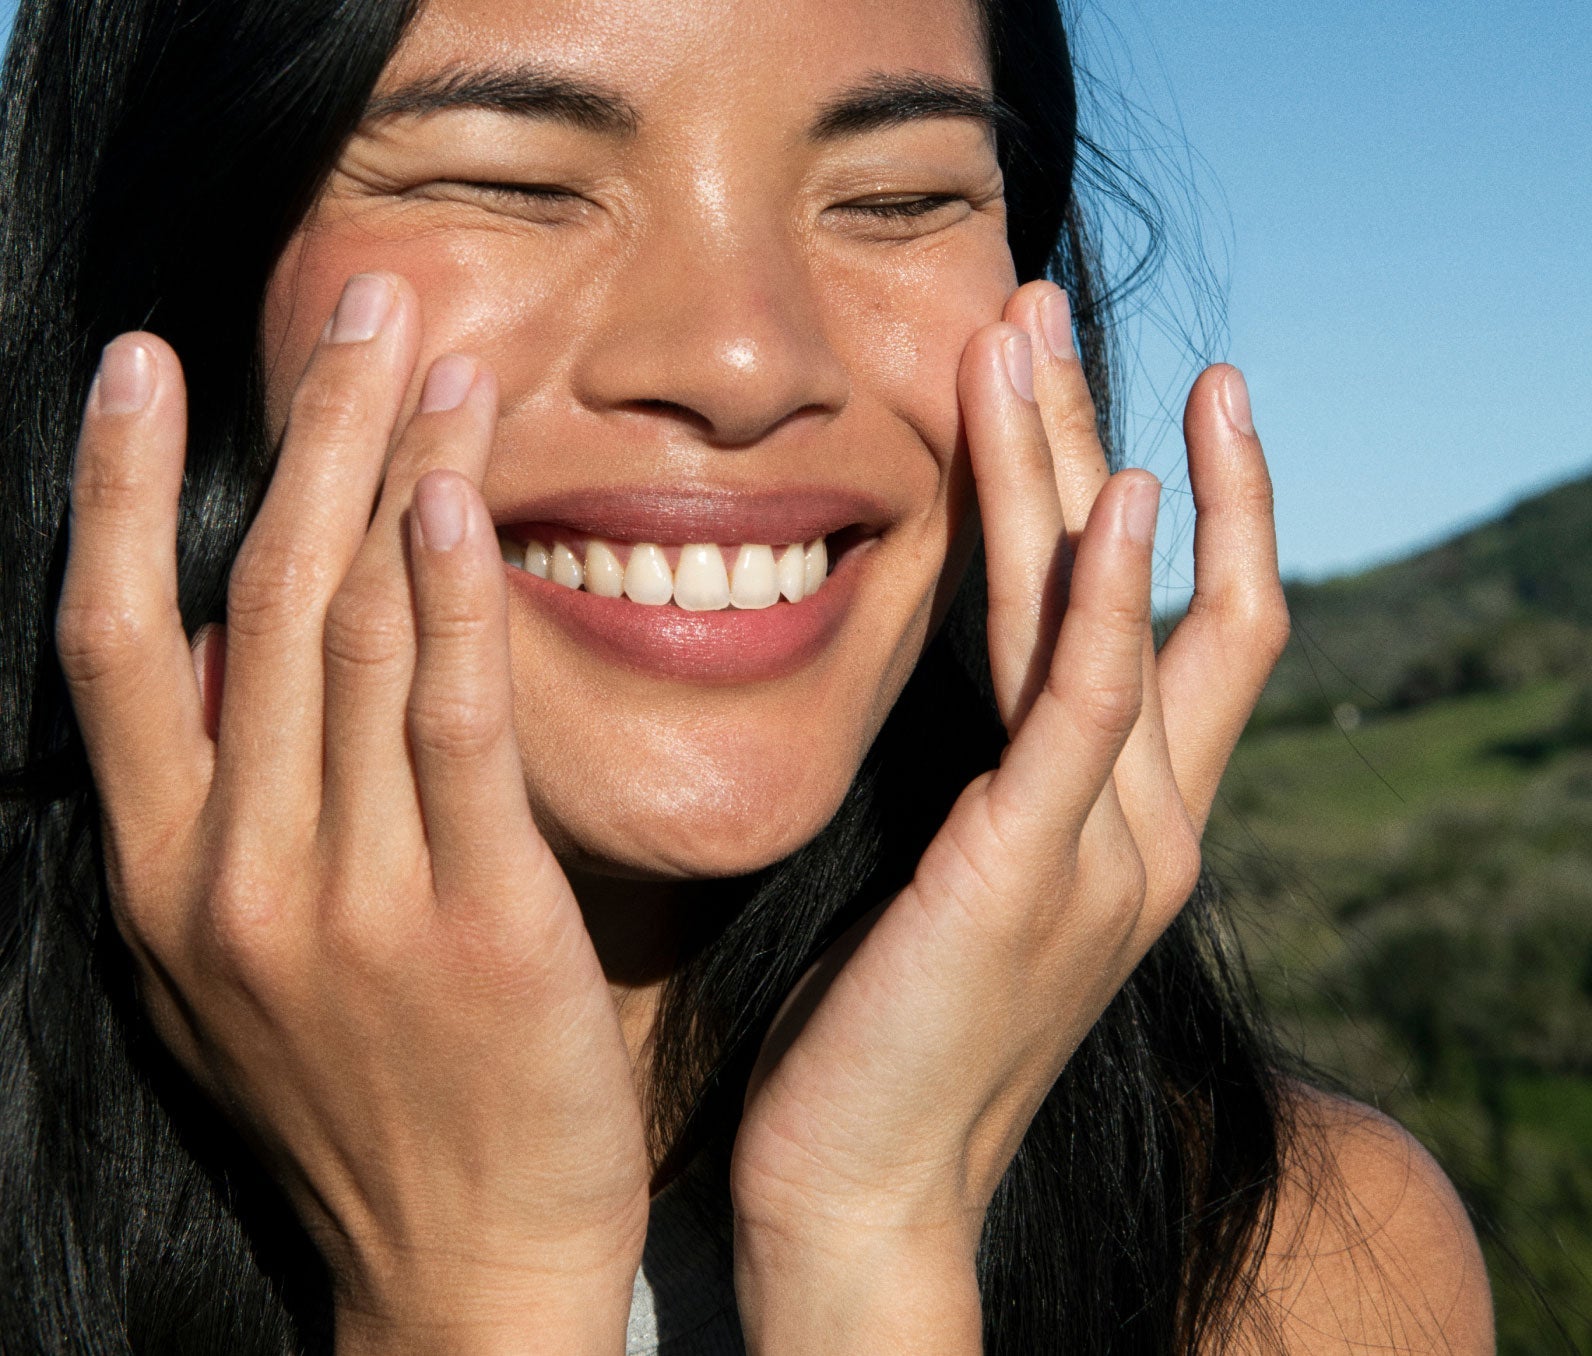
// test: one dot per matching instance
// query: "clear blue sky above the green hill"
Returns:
(1395, 197)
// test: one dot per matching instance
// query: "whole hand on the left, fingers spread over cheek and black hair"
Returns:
(322, 859)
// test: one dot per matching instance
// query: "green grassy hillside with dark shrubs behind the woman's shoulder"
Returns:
(1407, 836)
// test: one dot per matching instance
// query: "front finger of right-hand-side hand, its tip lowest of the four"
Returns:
(1063, 758)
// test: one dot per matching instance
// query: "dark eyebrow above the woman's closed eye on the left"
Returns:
(528, 92)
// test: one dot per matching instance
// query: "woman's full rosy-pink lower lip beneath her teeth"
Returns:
(720, 647)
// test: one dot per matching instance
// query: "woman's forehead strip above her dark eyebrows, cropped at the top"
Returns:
(728, 49)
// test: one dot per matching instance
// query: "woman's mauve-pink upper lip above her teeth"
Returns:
(703, 515)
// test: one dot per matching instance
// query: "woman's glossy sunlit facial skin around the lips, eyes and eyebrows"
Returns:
(709, 313)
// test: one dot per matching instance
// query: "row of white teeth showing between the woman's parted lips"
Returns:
(696, 577)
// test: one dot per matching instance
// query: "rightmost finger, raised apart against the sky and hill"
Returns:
(1215, 663)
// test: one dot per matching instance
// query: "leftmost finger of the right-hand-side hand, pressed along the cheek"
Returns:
(1024, 539)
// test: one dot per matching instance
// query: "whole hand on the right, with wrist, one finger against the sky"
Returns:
(897, 1085)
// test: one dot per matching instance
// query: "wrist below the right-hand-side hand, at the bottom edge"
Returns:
(857, 1292)
